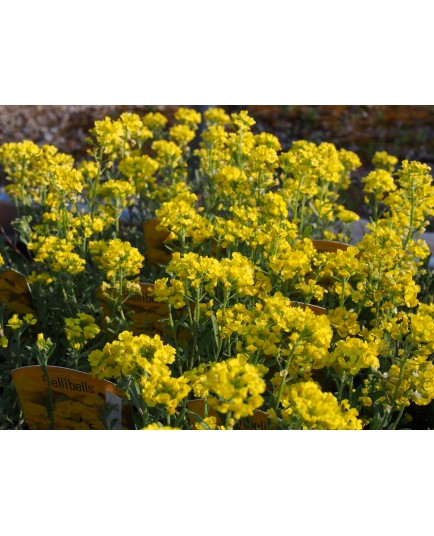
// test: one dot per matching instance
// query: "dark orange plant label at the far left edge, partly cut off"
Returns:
(15, 292)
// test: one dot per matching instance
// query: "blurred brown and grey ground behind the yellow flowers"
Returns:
(404, 131)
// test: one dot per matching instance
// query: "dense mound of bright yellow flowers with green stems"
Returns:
(224, 275)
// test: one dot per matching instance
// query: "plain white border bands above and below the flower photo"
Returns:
(311, 52)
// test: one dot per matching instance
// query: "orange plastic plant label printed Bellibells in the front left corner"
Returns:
(66, 399)
